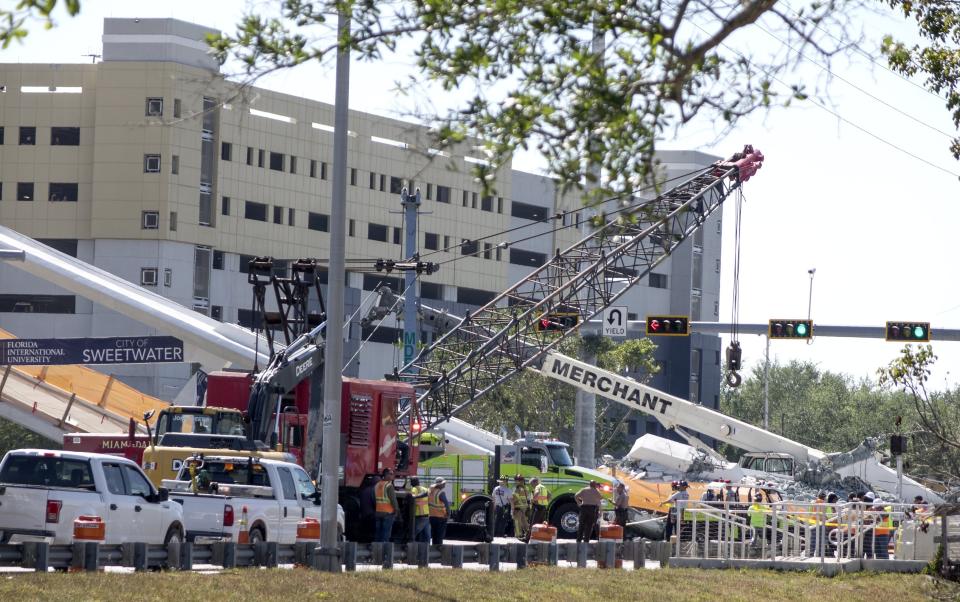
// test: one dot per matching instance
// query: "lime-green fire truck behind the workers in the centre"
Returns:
(472, 477)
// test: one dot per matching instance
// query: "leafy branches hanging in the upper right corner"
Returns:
(938, 22)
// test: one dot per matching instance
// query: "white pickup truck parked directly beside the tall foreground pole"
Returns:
(276, 495)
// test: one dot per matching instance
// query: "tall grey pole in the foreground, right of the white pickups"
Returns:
(329, 552)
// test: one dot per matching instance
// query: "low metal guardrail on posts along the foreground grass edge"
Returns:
(91, 556)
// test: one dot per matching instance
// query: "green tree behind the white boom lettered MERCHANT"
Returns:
(536, 403)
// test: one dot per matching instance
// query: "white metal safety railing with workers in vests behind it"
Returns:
(803, 531)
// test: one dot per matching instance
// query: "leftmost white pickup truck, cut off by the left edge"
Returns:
(43, 491)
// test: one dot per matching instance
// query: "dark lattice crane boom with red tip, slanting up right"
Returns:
(504, 337)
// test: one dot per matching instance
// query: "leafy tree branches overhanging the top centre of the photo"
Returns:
(534, 80)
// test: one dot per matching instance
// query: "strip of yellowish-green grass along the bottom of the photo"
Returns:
(428, 585)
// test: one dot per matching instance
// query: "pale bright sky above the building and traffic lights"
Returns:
(839, 191)
